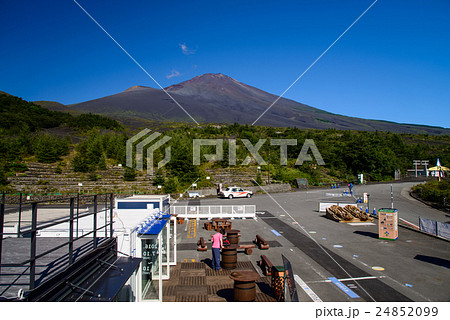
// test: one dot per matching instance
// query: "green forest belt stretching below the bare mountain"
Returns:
(29, 132)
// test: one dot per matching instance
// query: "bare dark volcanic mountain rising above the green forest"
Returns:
(217, 98)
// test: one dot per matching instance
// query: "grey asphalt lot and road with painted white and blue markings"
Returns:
(415, 267)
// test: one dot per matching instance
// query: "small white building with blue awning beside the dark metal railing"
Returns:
(145, 229)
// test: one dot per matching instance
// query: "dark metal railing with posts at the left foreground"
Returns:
(32, 230)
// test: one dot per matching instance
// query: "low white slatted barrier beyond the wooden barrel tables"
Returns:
(210, 212)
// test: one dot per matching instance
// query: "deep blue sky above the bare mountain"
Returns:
(394, 64)
